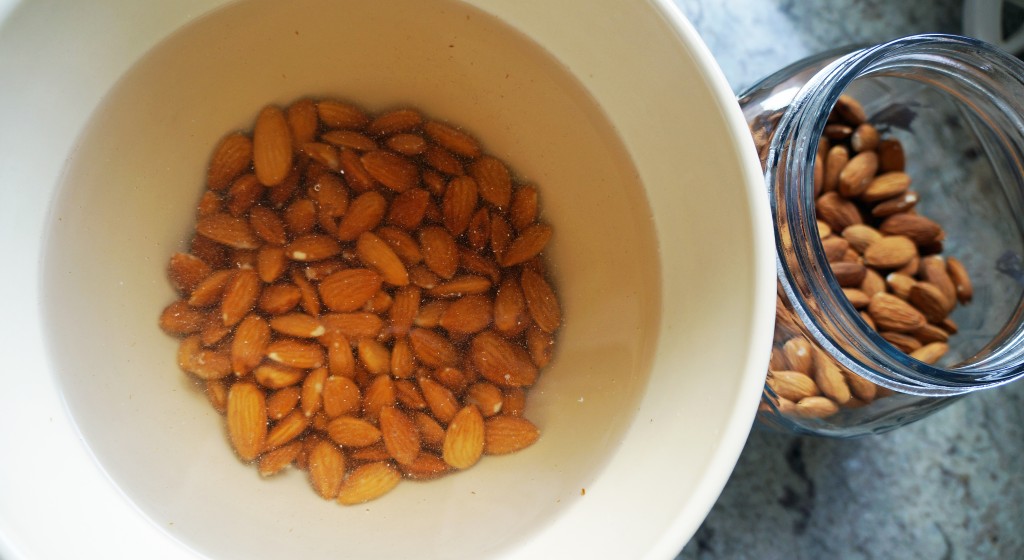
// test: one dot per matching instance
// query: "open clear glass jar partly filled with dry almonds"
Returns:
(897, 180)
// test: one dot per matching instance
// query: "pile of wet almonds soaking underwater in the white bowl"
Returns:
(365, 298)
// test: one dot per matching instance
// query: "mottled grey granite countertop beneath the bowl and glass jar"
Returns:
(947, 488)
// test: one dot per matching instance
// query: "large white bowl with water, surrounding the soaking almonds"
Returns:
(663, 255)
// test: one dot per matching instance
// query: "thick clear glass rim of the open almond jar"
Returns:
(990, 88)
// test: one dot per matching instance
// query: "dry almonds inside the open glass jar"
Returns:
(886, 257)
